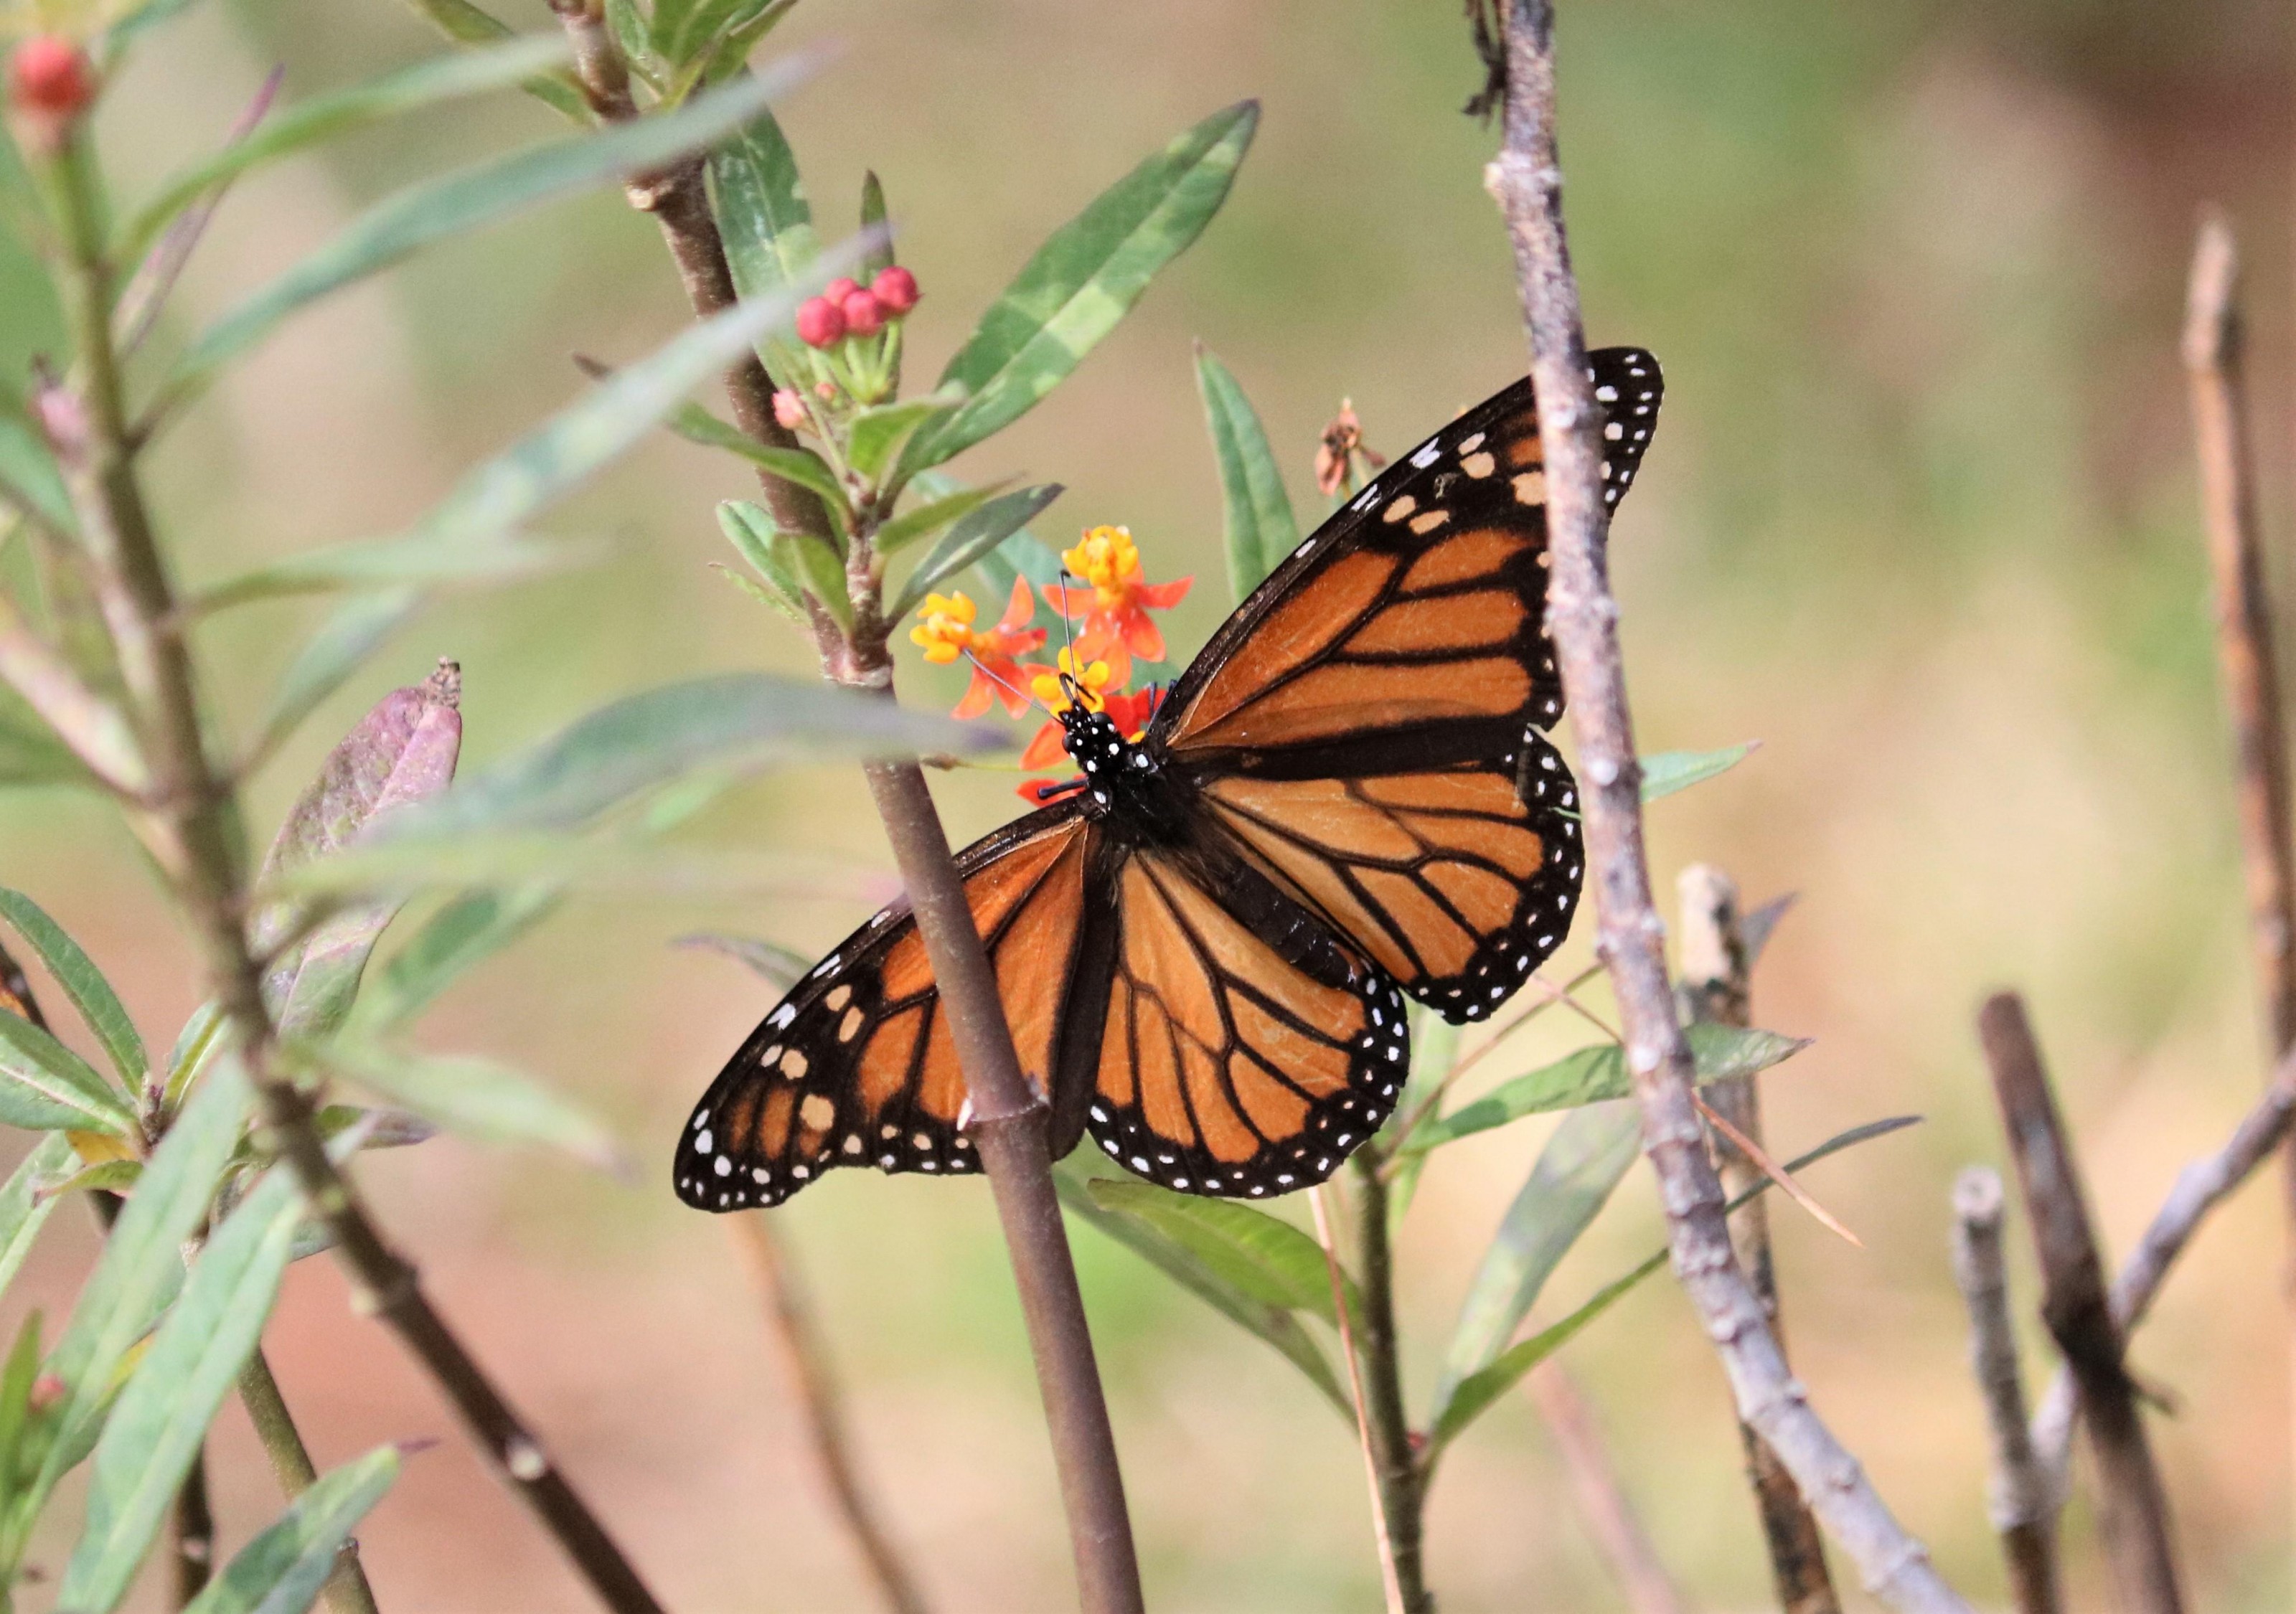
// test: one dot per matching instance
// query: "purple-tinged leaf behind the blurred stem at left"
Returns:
(401, 754)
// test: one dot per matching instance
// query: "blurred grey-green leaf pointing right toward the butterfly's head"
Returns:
(734, 722)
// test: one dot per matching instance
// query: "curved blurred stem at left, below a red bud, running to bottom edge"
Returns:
(189, 825)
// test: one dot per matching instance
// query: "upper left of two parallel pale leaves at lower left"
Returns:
(141, 1268)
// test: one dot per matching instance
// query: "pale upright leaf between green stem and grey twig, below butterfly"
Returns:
(1576, 1172)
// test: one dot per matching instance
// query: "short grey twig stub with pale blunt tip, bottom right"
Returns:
(2024, 1505)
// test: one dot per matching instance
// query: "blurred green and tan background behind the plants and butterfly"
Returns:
(1921, 518)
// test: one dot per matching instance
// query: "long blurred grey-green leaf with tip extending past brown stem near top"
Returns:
(479, 196)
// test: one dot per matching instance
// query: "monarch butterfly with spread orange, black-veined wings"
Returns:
(1204, 949)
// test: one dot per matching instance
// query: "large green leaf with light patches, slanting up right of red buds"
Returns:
(1087, 279)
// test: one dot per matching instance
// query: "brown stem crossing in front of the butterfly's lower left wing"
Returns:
(1009, 1124)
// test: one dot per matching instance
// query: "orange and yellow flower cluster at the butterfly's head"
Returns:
(1112, 607)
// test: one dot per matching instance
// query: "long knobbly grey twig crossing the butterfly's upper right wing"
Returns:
(1583, 619)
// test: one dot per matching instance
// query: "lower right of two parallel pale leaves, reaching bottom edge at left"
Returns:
(162, 1418)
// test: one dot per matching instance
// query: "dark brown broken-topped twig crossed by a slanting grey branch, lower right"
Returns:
(2079, 1314)
